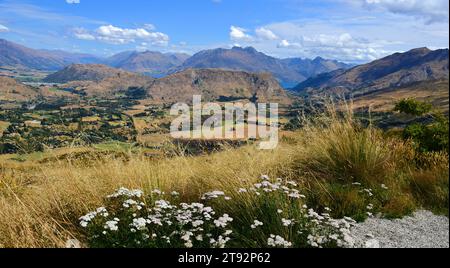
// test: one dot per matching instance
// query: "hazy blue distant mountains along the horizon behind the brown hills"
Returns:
(289, 72)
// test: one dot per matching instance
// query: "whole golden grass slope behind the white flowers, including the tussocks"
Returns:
(337, 164)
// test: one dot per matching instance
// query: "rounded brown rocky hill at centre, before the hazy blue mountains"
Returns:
(216, 84)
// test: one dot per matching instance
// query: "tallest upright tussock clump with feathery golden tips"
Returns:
(336, 147)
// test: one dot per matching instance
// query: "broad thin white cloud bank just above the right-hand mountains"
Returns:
(347, 39)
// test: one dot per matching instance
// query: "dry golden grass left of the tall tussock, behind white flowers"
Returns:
(44, 212)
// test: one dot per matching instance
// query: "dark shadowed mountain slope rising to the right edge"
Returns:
(396, 70)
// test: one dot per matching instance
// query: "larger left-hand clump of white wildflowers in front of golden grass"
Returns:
(162, 225)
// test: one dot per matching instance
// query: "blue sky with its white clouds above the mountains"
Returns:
(346, 30)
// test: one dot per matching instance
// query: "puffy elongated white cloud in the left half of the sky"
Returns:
(116, 35)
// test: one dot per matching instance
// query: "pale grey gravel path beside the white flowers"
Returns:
(422, 230)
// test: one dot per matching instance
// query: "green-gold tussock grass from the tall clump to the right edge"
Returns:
(350, 168)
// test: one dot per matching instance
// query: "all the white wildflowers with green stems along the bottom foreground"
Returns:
(168, 223)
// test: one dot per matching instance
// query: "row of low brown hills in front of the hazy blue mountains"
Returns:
(90, 81)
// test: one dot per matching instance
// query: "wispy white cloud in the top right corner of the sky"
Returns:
(430, 10)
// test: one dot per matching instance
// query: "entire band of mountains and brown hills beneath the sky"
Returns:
(225, 74)
